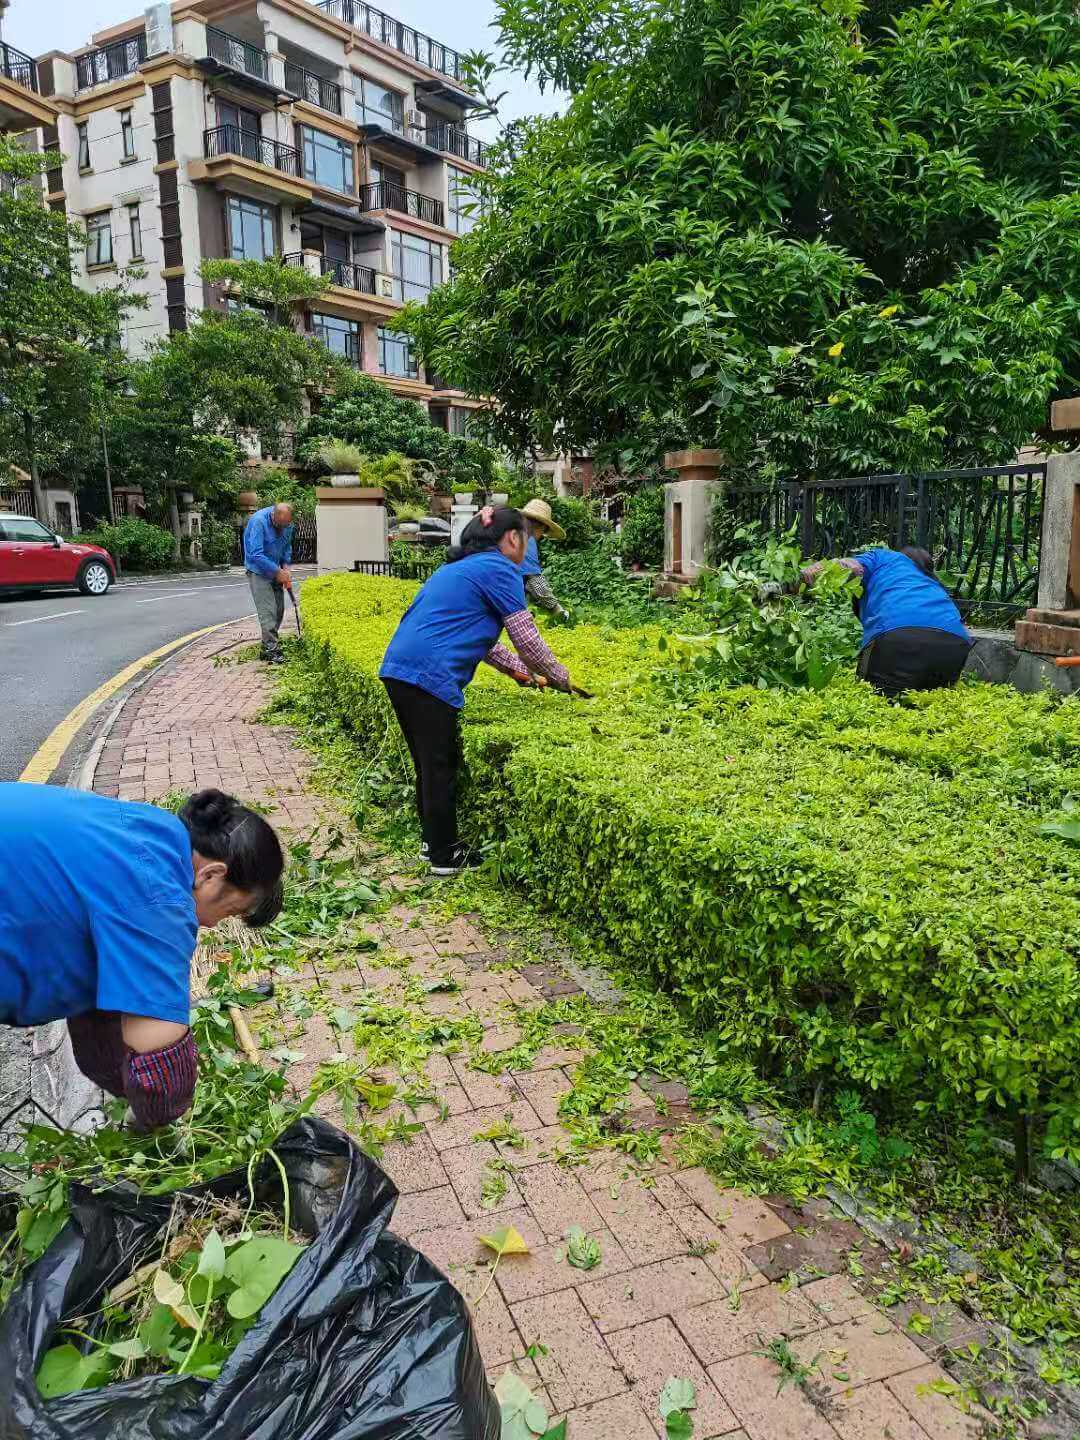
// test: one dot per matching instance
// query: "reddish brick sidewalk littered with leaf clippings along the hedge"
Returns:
(690, 1279)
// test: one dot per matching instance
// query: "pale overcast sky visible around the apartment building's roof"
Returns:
(63, 25)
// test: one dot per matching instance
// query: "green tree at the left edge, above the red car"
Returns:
(60, 346)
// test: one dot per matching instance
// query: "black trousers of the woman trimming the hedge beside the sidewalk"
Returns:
(434, 738)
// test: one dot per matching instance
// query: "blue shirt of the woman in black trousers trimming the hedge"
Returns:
(453, 624)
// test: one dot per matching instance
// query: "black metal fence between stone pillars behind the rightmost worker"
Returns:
(981, 526)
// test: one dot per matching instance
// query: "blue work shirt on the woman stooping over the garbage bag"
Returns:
(96, 908)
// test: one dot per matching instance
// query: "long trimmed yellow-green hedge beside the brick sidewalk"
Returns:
(832, 883)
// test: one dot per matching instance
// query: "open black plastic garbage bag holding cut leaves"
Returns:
(365, 1340)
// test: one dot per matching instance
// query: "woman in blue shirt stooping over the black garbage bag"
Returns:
(100, 917)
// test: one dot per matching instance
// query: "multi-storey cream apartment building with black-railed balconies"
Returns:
(322, 133)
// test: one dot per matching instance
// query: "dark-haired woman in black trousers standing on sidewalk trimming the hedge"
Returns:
(449, 630)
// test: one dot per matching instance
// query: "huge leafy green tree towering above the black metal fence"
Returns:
(824, 235)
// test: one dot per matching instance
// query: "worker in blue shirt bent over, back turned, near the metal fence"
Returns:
(914, 637)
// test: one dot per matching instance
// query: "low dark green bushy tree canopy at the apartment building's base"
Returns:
(365, 414)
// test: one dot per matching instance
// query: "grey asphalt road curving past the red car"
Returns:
(55, 649)
